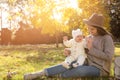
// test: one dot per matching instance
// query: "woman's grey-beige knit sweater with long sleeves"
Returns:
(101, 53)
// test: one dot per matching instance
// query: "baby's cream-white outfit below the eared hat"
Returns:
(77, 51)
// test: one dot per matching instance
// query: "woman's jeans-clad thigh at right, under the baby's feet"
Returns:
(81, 71)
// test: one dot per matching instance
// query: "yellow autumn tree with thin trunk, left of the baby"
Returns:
(46, 16)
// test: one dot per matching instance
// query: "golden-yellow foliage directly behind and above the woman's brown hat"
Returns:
(94, 6)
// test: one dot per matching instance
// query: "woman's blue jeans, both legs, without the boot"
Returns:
(80, 71)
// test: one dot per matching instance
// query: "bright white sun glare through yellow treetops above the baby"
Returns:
(57, 12)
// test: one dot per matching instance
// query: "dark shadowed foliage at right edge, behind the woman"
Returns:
(114, 11)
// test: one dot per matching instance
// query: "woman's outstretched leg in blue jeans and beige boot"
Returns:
(47, 72)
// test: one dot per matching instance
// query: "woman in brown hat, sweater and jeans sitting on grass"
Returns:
(100, 52)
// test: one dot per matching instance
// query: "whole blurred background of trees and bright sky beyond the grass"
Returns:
(47, 21)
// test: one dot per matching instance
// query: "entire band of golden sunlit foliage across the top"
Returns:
(56, 16)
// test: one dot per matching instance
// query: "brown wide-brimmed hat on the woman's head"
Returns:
(95, 20)
